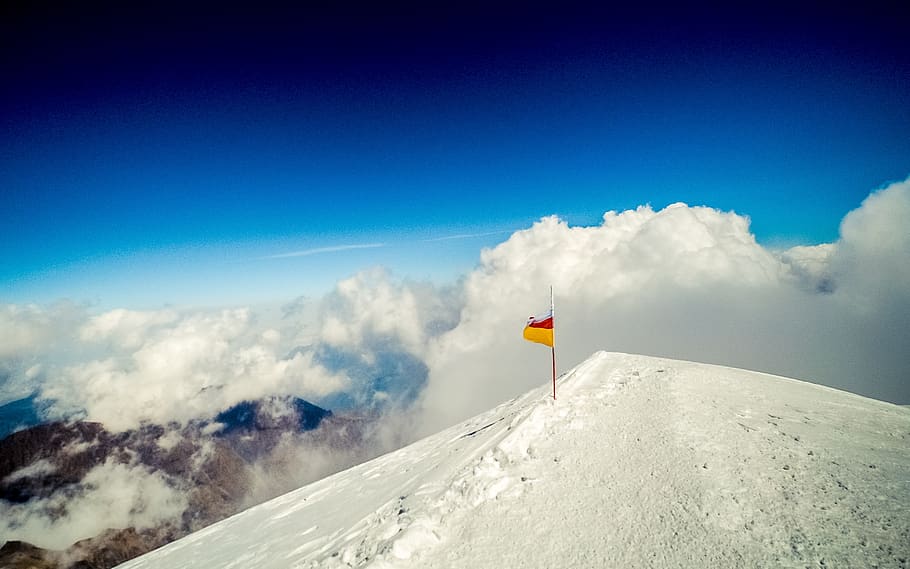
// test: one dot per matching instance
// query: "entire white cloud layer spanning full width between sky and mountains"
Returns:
(685, 282)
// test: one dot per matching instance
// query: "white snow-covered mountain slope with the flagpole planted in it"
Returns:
(641, 462)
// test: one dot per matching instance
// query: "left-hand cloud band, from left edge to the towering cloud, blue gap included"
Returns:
(125, 367)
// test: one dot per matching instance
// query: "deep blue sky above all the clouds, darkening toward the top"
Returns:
(154, 155)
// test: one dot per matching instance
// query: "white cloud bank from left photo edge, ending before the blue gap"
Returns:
(124, 368)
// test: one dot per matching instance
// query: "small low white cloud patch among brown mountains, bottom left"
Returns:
(112, 495)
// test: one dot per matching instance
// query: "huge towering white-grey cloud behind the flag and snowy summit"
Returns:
(686, 282)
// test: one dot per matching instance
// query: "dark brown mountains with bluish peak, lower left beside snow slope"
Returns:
(218, 463)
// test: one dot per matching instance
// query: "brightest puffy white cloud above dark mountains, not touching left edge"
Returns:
(164, 366)
